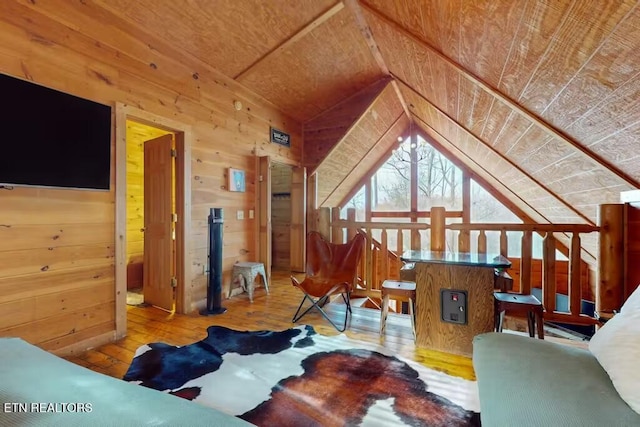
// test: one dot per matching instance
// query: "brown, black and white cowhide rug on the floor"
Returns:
(297, 377)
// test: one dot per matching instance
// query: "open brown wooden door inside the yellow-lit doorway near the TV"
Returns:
(158, 235)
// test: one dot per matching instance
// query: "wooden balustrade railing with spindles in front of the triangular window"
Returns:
(381, 262)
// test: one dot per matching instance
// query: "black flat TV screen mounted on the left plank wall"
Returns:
(51, 138)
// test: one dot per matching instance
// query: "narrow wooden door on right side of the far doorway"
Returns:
(298, 218)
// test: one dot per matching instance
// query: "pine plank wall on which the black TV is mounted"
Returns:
(57, 271)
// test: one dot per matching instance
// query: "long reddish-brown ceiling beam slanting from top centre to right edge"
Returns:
(513, 105)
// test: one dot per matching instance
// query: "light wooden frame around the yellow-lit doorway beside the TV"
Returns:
(183, 140)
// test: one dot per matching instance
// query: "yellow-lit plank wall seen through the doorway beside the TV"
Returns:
(137, 134)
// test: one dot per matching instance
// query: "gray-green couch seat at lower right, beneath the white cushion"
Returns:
(530, 382)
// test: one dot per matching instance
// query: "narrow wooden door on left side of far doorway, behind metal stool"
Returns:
(264, 215)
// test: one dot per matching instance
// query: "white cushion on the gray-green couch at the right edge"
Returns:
(617, 347)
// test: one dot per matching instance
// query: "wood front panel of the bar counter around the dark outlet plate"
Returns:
(431, 331)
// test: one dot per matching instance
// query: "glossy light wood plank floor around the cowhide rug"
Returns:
(272, 312)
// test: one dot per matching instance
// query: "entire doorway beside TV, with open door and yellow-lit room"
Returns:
(153, 215)
